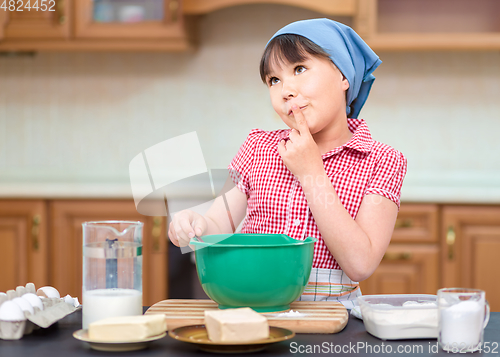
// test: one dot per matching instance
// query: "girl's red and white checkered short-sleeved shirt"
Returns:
(276, 202)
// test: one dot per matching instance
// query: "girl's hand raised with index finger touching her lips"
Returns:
(300, 153)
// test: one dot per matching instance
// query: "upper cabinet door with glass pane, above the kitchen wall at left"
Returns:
(133, 19)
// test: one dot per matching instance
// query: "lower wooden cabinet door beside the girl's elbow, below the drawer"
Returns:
(405, 269)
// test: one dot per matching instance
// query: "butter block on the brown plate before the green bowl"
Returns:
(236, 325)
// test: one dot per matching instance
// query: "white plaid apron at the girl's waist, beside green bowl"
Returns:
(331, 285)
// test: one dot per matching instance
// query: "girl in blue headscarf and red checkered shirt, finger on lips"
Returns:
(325, 177)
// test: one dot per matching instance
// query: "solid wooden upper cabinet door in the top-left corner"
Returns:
(48, 20)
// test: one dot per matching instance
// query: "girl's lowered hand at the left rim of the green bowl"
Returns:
(184, 226)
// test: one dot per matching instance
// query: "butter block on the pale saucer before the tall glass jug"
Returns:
(127, 328)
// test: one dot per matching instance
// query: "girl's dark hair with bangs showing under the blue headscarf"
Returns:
(288, 48)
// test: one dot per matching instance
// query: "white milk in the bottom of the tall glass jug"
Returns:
(101, 303)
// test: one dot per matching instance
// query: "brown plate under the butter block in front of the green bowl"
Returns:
(197, 334)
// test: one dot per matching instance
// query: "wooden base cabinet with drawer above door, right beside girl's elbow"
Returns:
(411, 262)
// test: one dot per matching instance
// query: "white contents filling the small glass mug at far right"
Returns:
(462, 324)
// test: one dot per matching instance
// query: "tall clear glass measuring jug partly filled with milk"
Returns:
(112, 270)
